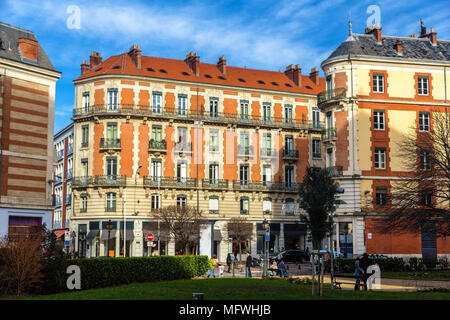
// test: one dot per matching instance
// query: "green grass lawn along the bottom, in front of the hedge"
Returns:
(229, 289)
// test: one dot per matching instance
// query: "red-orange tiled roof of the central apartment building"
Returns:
(209, 73)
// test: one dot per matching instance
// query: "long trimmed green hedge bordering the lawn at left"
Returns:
(105, 272)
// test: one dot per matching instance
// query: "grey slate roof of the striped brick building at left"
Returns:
(9, 46)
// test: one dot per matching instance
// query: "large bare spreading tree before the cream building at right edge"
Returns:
(423, 196)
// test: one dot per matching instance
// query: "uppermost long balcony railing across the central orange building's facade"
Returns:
(205, 115)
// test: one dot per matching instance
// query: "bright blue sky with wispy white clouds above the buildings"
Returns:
(257, 34)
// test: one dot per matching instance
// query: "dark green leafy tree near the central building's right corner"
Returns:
(318, 194)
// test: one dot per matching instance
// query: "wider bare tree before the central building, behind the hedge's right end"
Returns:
(183, 223)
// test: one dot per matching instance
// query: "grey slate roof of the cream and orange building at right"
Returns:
(413, 48)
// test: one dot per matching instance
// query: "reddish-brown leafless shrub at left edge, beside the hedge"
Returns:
(21, 257)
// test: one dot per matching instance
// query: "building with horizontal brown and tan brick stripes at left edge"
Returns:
(27, 102)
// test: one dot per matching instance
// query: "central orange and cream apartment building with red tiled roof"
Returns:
(151, 132)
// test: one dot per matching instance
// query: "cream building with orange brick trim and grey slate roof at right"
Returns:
(377, 88)
